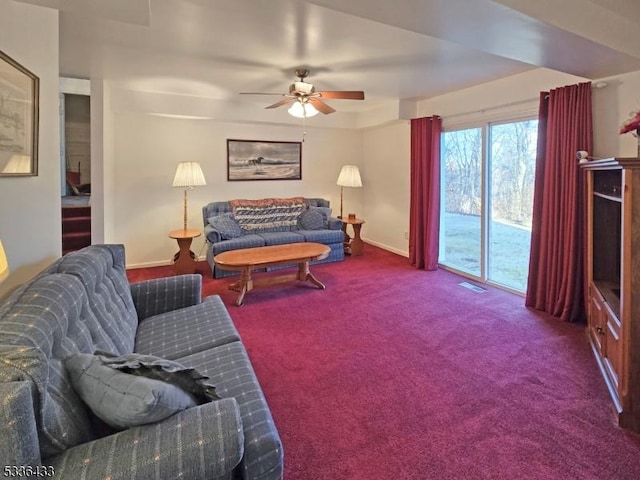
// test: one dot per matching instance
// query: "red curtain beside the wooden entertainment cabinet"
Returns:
(556, 263)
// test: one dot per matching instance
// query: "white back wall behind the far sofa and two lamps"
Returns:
(147, 148)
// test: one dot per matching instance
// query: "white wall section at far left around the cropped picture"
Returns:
(30, 213)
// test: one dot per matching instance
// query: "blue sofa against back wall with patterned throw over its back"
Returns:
(269, 221)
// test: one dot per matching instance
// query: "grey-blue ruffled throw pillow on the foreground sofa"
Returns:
(135, 389)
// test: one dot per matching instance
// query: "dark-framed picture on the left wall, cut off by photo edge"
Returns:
(19, 97)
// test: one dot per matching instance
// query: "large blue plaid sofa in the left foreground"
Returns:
(82, 303)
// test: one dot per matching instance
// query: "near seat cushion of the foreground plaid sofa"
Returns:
(230, 370)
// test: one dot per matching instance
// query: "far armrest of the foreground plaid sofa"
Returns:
(160, 295)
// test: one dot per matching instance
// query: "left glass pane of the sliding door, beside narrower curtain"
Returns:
(460, 229)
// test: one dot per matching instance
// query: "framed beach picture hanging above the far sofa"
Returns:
(263, 160)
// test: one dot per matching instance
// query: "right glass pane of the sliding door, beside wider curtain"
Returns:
(512, 170)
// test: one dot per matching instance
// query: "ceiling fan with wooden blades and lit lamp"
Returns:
(305, 101)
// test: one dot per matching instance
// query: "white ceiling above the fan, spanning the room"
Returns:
(390, 49)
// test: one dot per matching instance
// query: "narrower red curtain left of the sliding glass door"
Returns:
(424, 210)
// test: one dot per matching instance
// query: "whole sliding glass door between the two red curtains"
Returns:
(487, 199)
